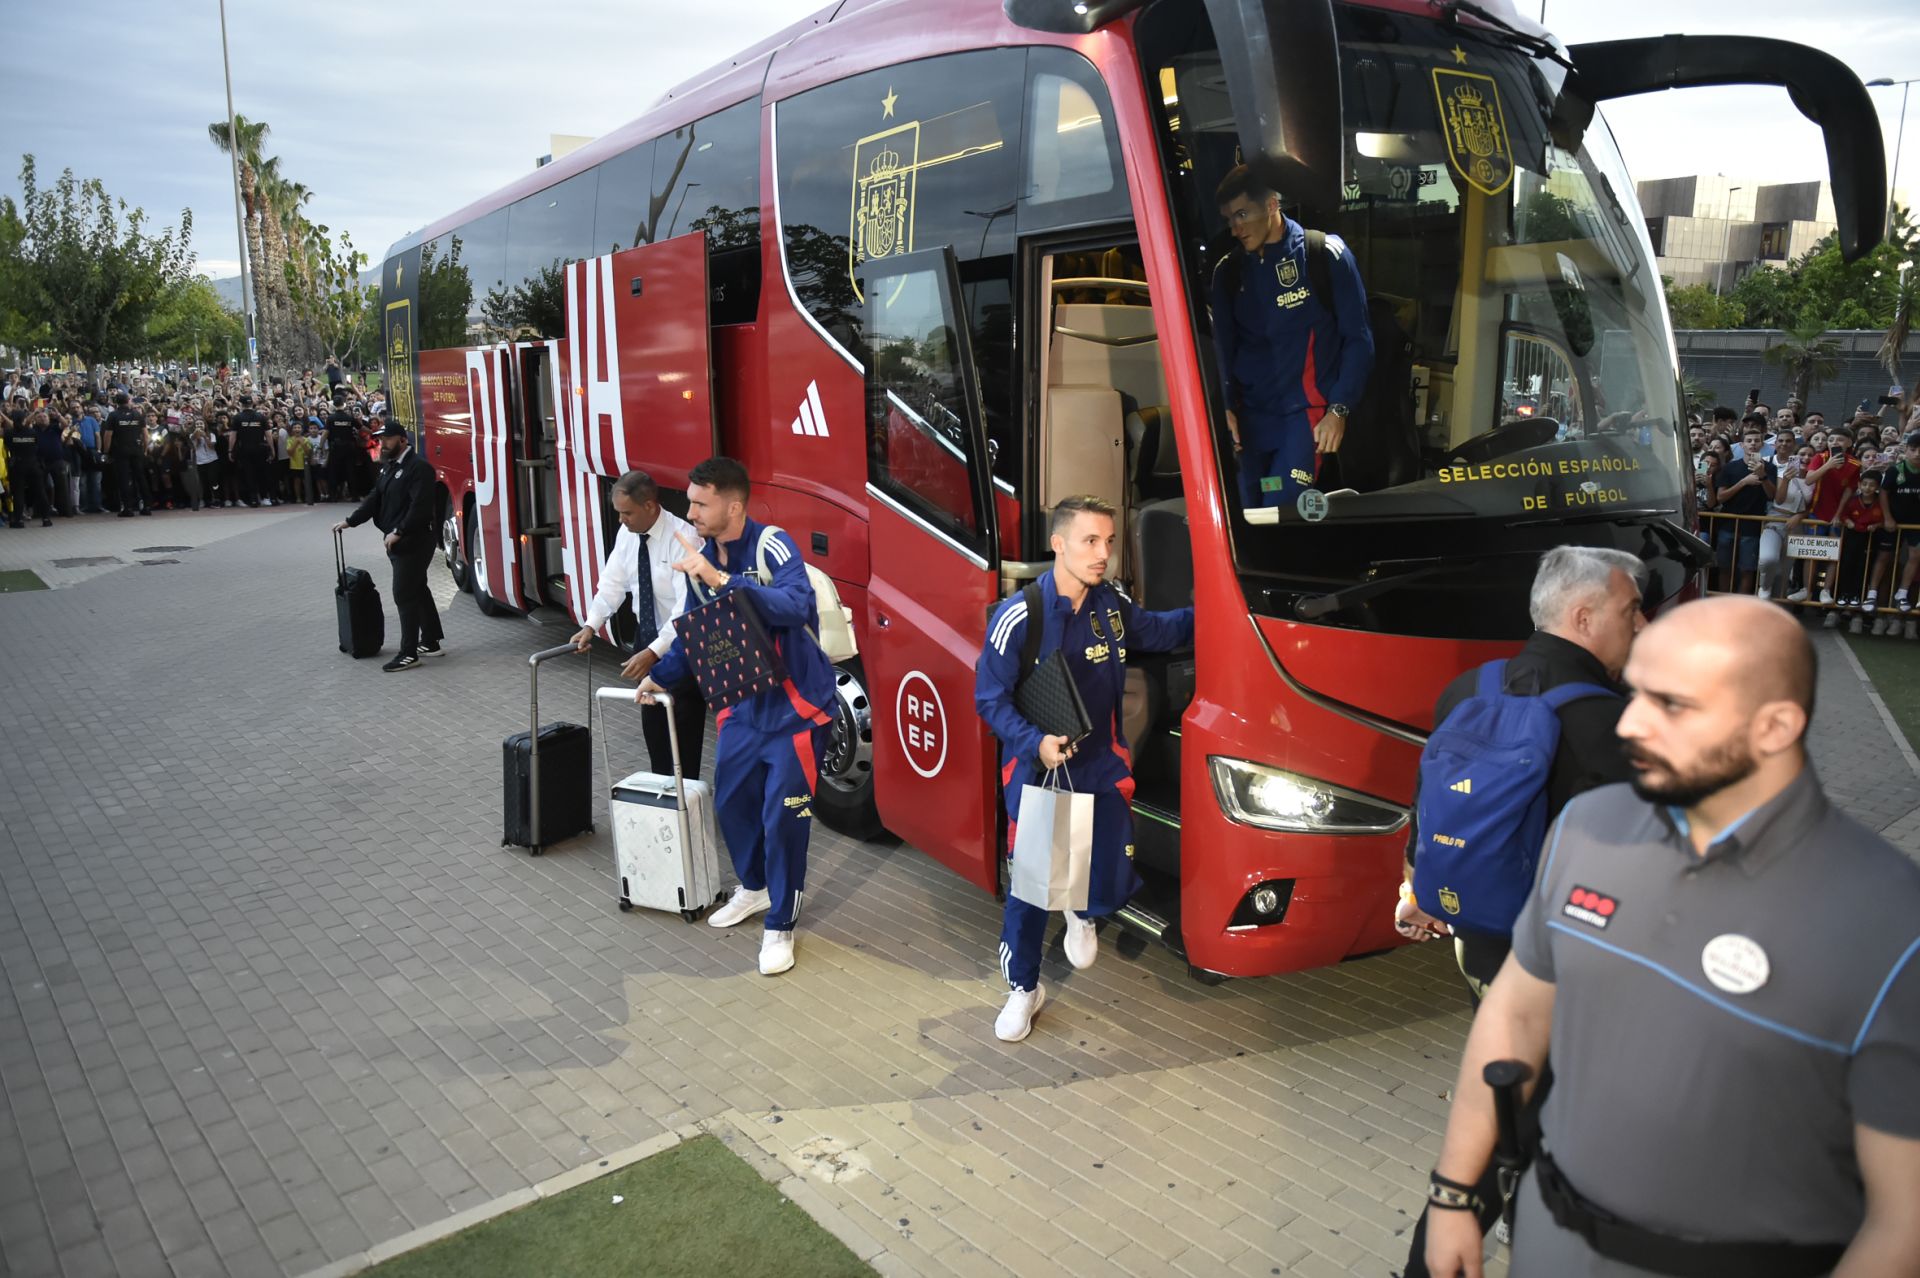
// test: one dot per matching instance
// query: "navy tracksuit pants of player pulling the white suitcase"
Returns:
(765, 807)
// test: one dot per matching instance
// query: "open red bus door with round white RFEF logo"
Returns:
(934, 563)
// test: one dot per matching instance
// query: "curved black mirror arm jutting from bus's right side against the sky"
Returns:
(1823, 87)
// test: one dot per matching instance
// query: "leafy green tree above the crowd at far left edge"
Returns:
(89, 270)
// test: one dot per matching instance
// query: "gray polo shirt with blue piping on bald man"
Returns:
(1723, 1022)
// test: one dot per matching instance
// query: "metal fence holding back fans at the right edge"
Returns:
(1856, 579)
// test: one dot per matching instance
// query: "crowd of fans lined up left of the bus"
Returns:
(141, 440)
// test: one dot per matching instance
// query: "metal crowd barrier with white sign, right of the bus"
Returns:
(1813, 557)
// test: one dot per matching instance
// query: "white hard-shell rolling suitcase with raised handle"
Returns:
(665, 845)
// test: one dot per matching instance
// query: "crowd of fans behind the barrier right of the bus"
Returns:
(1765, 479)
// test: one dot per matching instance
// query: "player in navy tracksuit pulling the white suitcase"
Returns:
(769, 745)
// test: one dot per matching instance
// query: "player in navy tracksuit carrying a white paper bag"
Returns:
(1093, 625)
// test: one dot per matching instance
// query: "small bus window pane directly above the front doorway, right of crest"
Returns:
(1072, 158)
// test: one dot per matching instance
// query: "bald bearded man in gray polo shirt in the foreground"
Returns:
(1725, 970)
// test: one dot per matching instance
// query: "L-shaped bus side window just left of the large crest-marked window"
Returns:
(708, 177)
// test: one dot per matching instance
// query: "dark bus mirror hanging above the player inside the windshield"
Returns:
(1282, 60)
